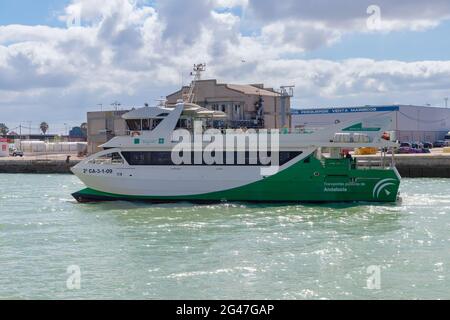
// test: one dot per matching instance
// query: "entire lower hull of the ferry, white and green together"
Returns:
(305, 179)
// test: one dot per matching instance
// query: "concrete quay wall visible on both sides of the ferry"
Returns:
(434, 165)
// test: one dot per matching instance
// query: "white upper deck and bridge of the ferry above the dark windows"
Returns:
(154, 127)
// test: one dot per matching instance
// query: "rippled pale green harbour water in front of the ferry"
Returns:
(184, 251)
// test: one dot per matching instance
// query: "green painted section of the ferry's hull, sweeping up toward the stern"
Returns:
(315, 181)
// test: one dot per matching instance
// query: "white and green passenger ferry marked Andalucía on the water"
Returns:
(308, 166)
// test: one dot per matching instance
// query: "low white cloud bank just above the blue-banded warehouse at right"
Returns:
(360, 81)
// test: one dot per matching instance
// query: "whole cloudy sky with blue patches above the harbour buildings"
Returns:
(62, 58)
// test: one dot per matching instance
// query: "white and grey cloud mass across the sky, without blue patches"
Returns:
(131, 52)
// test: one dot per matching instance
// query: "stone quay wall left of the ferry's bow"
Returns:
(37, 166)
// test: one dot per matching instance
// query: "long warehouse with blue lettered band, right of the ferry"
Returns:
(412, 123)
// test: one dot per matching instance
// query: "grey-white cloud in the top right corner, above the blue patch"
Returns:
(331, 19)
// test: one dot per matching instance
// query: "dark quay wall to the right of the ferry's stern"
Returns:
(416, 166)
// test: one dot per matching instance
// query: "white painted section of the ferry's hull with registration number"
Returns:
(171, 180)
